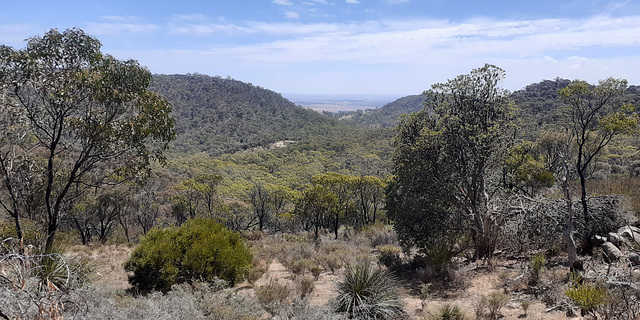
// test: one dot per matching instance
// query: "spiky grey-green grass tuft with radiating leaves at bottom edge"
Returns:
(369, 292)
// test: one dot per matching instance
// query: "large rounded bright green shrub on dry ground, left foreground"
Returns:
(200, 249)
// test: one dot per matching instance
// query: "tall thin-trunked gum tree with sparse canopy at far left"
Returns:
(84, 119)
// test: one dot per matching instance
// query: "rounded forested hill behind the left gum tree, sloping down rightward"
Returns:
(217, 116)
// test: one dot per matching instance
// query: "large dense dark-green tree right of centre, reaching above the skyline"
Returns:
(443, 162)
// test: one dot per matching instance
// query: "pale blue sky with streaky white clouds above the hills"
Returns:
(351, 46)
